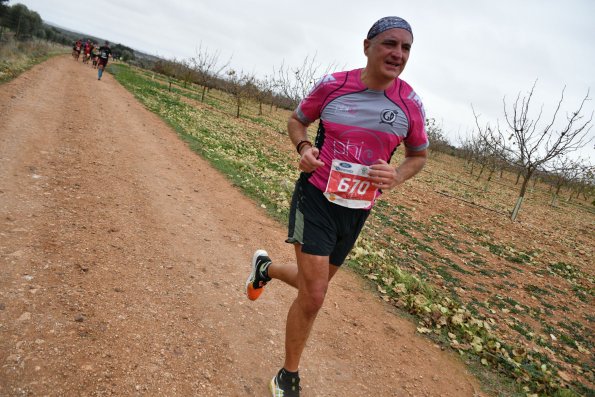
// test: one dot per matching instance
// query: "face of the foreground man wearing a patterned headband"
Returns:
(388, 53)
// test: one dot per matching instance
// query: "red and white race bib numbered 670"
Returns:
(349, 185)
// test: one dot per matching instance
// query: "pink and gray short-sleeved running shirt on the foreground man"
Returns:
(360, 125)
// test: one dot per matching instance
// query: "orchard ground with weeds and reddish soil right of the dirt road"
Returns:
(513, 298)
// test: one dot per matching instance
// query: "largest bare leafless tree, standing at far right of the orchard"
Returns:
(526, 144)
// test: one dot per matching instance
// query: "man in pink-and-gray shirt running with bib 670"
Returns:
(364, 115)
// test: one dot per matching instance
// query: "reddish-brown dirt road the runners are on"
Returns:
(123, 257)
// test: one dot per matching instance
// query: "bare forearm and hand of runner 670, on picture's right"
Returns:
(387, 177)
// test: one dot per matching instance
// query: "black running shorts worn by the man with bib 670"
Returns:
(321, 227)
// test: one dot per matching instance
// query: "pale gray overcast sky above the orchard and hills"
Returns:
(464, 52)
